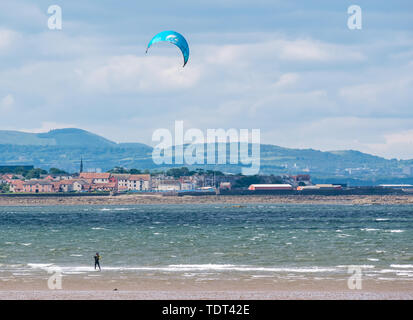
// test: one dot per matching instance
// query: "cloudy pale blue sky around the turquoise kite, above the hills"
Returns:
(292, 69)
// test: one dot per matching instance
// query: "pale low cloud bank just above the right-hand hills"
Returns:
(379, 136)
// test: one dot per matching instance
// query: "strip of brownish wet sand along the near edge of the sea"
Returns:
(214, 290)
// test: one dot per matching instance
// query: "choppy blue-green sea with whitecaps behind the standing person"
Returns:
(254, 241)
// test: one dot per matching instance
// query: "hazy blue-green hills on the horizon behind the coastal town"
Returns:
(63, 149)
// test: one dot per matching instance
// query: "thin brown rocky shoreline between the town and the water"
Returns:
(131, 199)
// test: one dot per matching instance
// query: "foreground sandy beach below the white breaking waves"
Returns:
(261, 289)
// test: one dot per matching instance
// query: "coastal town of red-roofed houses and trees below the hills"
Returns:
(119, 180)
